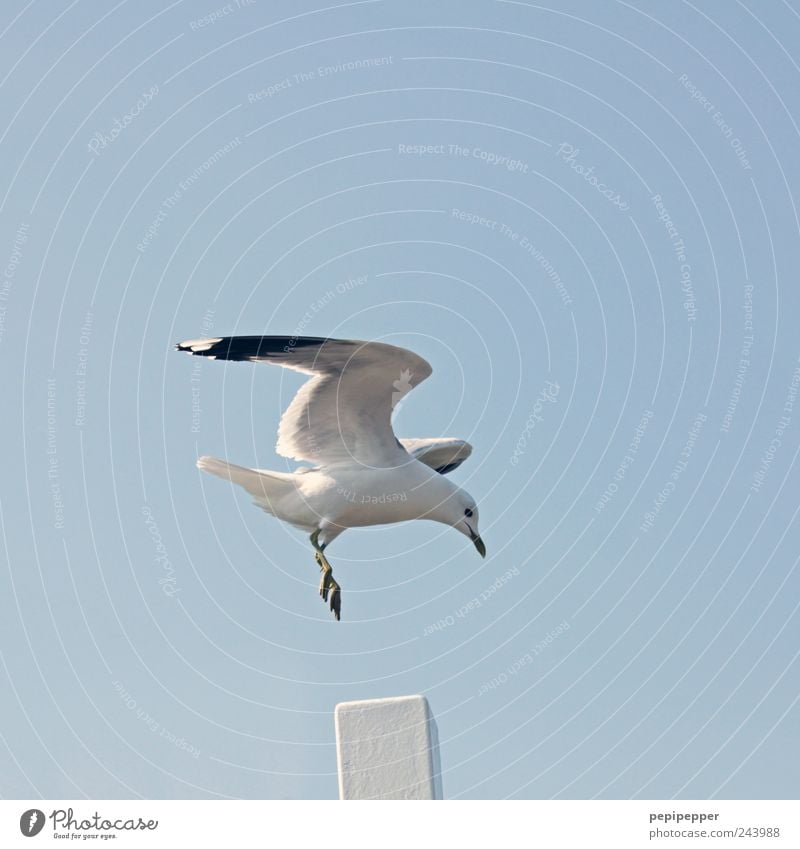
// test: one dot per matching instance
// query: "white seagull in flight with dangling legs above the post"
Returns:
(340, 421)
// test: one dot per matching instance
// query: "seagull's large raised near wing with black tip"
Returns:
(343, 414)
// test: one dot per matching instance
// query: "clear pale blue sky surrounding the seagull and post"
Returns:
(583, 214)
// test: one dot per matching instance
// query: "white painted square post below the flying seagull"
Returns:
(388, 749)
